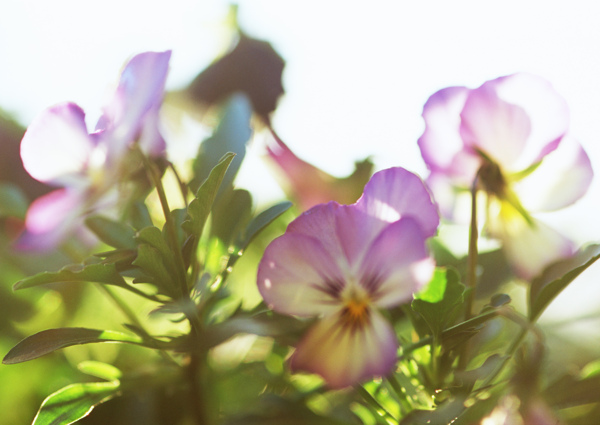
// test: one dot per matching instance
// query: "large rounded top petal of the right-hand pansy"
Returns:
(516, 119)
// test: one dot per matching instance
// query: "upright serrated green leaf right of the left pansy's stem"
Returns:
(199, 208)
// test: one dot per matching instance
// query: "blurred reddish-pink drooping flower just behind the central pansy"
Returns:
(308, 185)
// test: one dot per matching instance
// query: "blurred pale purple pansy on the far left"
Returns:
(87, 167)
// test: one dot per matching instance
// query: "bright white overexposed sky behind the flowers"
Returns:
(356, 78)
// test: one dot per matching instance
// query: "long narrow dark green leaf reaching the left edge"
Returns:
(50, 340)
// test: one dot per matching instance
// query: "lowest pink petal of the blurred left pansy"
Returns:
(51, 219)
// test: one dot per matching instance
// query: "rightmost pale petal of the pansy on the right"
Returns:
(562, 178)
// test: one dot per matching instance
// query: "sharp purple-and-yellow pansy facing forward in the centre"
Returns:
(342, 264)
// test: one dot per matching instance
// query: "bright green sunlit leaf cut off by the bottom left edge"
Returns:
(74, 402)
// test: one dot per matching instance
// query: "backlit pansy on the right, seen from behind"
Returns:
(510, 134)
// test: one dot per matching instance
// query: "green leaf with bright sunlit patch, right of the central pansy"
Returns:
(441, 301)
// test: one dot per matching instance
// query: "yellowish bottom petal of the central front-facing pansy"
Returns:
(346, 355)
